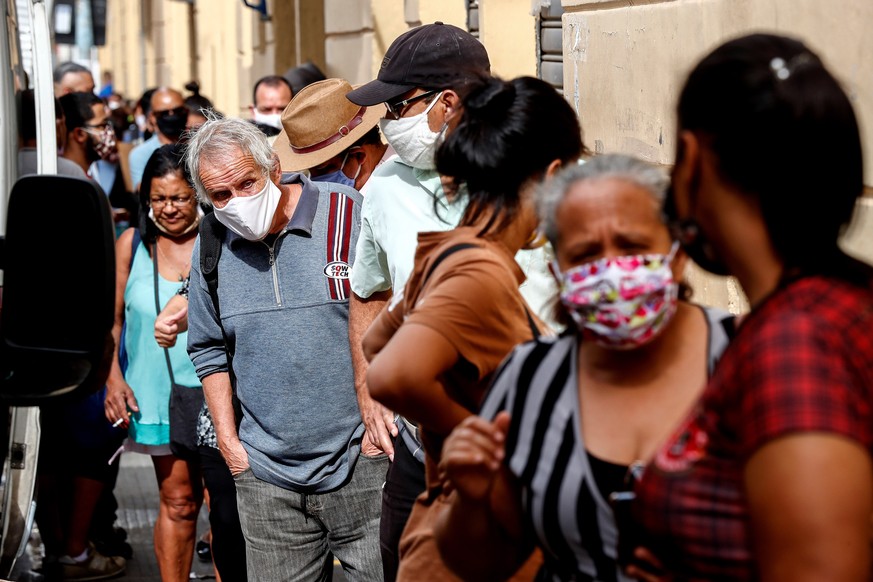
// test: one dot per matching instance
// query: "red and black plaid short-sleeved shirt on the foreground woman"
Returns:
(803, 361)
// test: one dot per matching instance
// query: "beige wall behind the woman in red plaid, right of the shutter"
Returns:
(625, 65)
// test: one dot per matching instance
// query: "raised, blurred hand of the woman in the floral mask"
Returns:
(472, 456)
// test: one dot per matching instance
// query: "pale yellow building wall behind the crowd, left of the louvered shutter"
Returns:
(154, 45)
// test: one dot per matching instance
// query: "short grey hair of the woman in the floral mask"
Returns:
(619, 166)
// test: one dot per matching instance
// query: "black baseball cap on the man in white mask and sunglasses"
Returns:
(433, 56)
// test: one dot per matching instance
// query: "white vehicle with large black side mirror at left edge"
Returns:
(58, 278)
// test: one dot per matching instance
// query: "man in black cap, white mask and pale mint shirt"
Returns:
(418, 83)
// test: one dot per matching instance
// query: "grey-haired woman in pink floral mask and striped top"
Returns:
(547, 461)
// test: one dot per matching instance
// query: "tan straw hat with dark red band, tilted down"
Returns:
(320, 123)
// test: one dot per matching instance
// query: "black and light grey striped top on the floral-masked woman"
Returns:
(572, 521)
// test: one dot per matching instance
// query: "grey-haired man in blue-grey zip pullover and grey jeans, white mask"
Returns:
(279, 329)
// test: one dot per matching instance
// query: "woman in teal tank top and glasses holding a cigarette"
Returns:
(138, 397)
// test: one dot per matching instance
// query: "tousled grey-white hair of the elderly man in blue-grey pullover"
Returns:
(222, 138)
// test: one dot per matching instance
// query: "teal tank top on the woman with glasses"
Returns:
(147, 373)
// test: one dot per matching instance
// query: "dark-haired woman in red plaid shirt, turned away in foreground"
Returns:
(771, 478)
